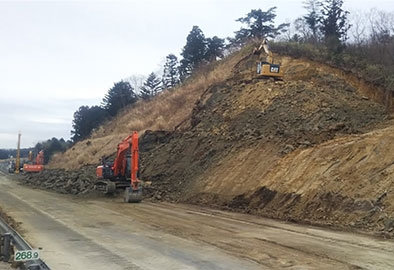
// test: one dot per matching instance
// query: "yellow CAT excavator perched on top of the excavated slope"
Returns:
(266, 67)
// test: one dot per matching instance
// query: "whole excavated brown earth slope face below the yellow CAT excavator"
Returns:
(273, 148)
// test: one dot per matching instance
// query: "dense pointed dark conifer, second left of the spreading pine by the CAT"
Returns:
(193, 52)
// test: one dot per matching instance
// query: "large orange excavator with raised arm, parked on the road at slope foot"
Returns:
(122, 173)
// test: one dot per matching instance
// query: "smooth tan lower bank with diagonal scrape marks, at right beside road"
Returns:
(345, 181)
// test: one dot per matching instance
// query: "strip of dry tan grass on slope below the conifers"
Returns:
(163, 112)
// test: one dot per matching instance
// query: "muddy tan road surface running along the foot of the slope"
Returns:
(105, 233)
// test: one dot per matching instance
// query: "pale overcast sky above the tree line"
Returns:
(56, 56)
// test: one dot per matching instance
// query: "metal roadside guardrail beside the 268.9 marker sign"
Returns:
(11, 239)
